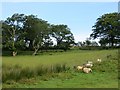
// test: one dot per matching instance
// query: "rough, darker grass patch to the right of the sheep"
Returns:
(110, 64)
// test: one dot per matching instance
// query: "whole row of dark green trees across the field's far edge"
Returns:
(28, 32)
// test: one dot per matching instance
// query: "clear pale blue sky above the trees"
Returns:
(79, 16)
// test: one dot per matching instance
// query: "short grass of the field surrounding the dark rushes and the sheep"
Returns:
(103, 76)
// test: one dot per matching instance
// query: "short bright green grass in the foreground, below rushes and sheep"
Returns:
(77, 80)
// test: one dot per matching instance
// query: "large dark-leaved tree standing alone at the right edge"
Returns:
(107, 29)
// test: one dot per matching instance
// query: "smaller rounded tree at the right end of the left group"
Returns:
(63, 36)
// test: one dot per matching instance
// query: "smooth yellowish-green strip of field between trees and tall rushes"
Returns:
(70, 58)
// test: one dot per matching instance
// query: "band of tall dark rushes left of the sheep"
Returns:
(16, 72)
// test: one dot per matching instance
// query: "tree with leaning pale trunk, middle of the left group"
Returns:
(41, 34)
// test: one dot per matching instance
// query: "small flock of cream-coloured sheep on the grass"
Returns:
(86, 68)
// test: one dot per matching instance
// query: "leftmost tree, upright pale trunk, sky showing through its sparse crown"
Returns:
(12, 31)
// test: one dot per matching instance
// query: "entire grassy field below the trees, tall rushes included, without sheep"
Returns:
(48, 75)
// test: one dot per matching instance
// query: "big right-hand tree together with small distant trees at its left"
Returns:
(107, 30)
